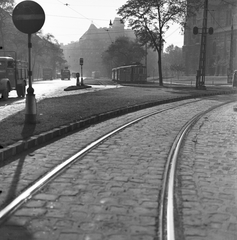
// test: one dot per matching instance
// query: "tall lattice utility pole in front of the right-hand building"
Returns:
(200, 78)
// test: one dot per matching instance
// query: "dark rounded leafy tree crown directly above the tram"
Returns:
(123, 52)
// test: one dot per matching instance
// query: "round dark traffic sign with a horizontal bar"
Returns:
(28, 17)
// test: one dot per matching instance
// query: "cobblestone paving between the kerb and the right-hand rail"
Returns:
(112, 193)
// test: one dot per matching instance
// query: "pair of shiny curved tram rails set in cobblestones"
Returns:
(168, 182)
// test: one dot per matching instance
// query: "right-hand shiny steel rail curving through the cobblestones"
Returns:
(166, 213)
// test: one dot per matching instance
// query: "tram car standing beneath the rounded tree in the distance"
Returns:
(130, 73)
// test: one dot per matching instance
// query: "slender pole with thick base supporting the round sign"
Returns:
(30, 110)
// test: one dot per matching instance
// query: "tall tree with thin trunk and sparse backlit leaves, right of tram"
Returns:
(150, 19)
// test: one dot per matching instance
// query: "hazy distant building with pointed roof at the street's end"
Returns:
(91, 46)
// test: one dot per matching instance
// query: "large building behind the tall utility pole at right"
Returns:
(222, 15)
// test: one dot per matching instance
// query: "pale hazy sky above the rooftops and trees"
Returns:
(68, 20)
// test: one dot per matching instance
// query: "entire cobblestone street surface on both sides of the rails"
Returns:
(112, 193)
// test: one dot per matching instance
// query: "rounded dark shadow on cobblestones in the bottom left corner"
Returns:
(14, 231)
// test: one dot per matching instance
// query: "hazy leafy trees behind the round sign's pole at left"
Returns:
(46, 50)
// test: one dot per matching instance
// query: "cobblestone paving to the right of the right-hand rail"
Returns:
(208, 178)
